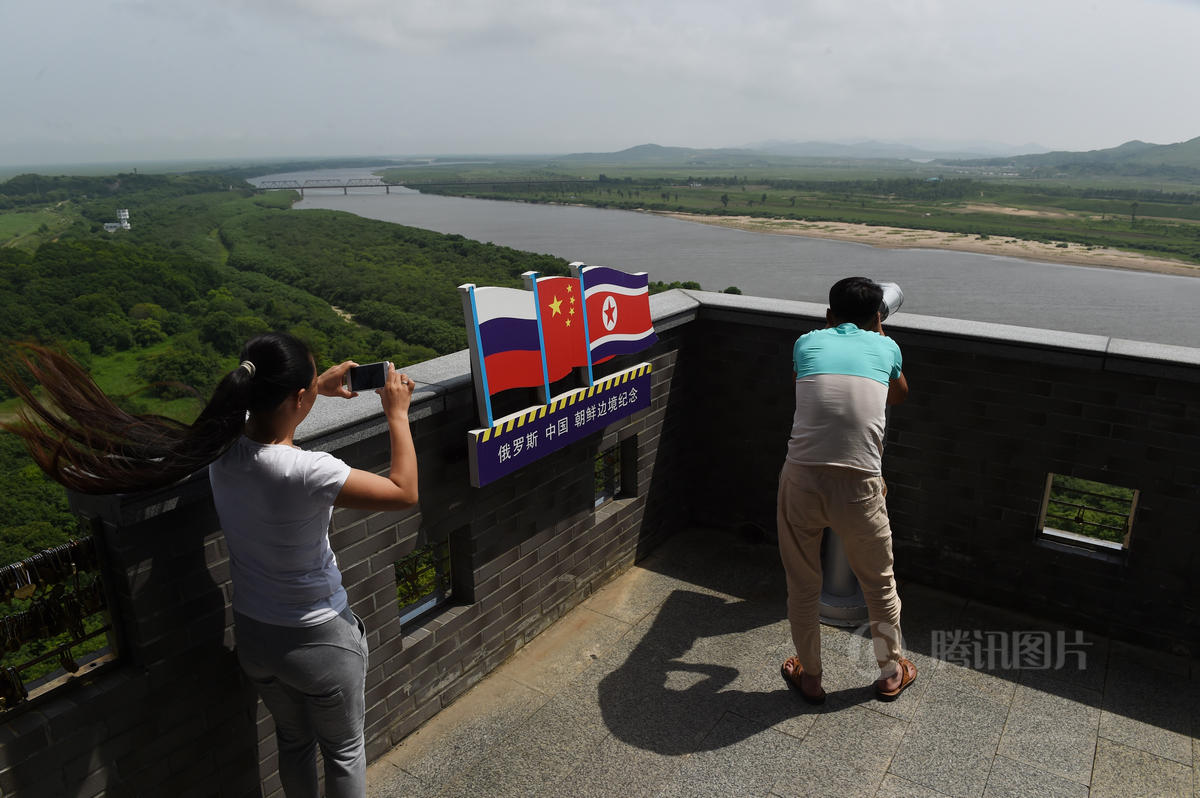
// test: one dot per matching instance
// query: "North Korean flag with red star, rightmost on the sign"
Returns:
(619, 311)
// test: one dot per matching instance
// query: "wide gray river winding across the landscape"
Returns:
(1141, 307)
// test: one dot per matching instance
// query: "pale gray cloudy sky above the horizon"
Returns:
(89, 81)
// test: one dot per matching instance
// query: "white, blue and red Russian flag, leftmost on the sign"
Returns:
(508, 341)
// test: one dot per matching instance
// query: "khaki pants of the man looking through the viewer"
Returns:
(851, 503)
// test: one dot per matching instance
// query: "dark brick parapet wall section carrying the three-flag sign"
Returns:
(173, 717)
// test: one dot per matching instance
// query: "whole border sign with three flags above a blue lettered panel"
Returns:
(531, 339)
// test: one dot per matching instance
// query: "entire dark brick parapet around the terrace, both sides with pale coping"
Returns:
(993, 411)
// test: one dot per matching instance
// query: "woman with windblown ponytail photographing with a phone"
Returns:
(298, 640)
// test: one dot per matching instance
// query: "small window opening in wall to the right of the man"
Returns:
(1093, 515)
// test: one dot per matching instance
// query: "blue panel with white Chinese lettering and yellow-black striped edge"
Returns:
(526, 437)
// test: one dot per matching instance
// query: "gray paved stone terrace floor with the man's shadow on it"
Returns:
(667, 683)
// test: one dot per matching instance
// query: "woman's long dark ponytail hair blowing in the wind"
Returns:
(82, 440)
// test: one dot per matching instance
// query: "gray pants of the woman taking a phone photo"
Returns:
(313, 681)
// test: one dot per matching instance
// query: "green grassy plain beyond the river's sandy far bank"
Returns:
(1145, 218)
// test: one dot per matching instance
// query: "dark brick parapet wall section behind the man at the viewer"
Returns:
(993, 411)
